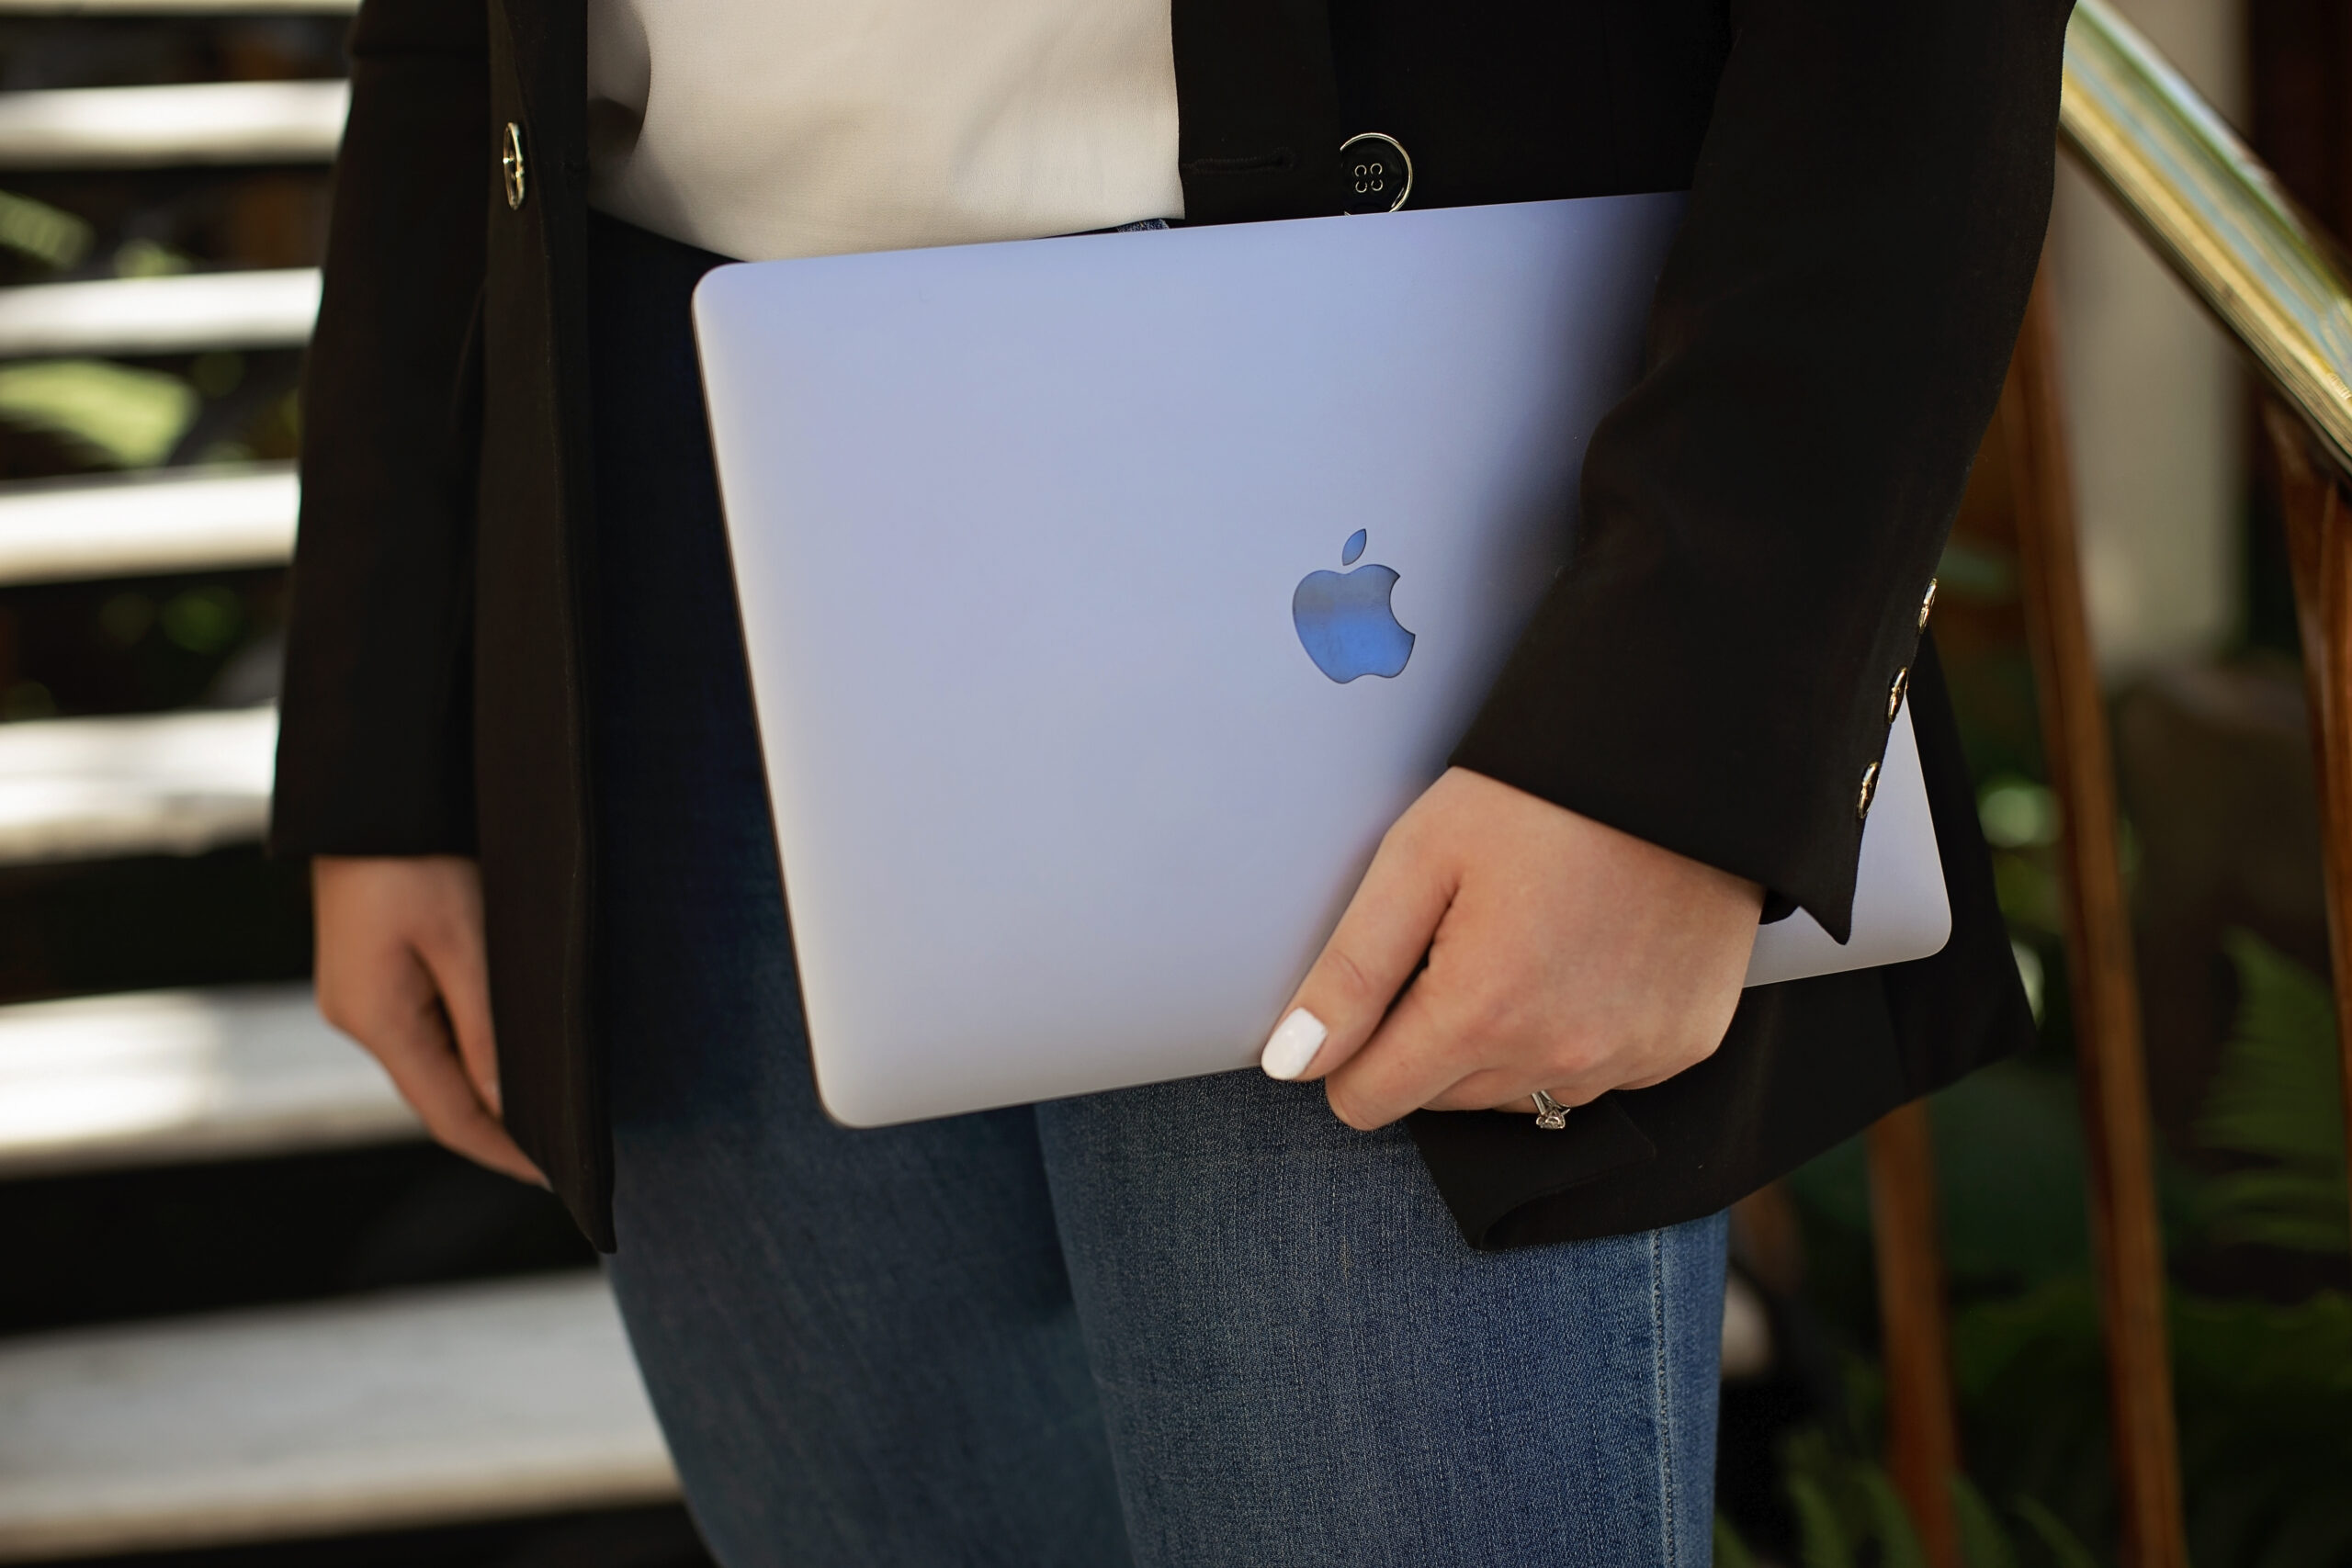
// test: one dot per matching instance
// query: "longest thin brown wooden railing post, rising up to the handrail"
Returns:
(2111, 1068)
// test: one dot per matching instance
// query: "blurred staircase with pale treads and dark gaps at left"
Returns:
(246, 1301)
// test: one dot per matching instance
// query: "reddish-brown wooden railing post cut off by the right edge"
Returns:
(2320, 549)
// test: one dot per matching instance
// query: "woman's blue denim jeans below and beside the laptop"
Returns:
(1184, 1325)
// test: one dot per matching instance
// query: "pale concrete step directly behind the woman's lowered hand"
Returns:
(163, 1078)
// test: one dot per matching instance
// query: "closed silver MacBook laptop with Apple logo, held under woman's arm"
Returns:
(1107, 601)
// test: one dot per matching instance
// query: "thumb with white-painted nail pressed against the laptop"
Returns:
(1375, 951)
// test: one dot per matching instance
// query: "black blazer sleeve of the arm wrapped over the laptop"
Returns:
(1763, 514)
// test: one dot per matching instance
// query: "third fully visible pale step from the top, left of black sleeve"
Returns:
(149, 523)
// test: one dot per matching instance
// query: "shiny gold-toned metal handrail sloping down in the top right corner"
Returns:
(2217, 215)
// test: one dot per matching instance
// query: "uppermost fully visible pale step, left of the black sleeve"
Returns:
(196, 123)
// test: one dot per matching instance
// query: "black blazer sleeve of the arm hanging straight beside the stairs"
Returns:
(375, 728)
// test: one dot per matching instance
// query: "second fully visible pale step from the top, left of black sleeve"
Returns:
(161, 316)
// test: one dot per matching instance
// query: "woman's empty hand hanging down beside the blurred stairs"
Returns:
(401, 970)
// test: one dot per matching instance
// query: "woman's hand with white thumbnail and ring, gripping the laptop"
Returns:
(1563, 956)
